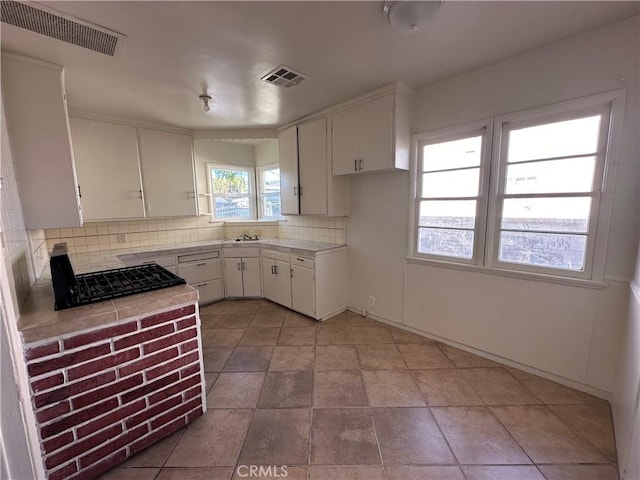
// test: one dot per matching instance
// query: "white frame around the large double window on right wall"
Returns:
(494, 169)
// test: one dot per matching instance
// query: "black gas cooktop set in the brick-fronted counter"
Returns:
(72, 290)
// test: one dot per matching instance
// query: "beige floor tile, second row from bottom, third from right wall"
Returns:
(476, 437)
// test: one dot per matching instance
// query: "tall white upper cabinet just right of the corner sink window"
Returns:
(306, 184)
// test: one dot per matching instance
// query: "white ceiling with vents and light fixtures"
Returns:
(176, 50)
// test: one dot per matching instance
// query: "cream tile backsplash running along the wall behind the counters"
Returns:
(123, 234)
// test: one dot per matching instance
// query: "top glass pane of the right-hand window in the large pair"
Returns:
(559, 139)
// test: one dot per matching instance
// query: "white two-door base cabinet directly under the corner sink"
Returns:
(242, 273)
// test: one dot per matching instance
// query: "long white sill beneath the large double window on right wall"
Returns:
(530, 276)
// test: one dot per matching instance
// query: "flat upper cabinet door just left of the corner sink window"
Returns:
(167, 173)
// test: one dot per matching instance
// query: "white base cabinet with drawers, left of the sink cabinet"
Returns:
(203, 271)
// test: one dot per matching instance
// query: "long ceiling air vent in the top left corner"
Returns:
(51, 23)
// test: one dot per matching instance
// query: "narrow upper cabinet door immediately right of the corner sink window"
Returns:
(288, 152)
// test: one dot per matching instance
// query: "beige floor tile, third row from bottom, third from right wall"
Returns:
(445, 388)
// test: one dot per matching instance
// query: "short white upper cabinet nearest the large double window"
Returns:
(372, 136)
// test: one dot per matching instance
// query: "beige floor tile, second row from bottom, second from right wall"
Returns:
(544, 437)
